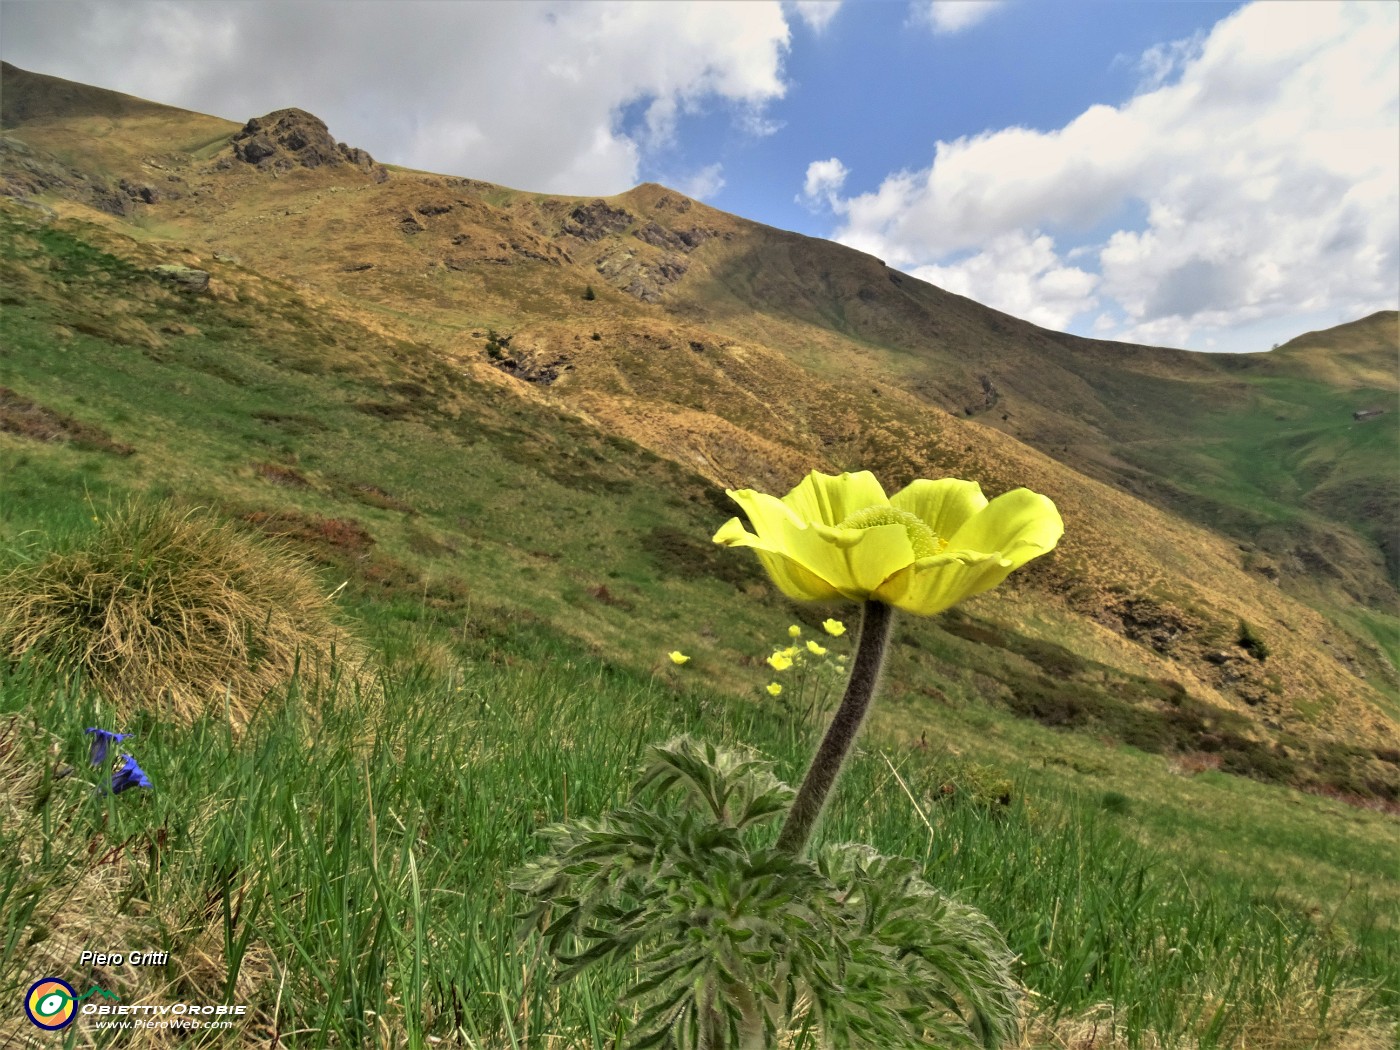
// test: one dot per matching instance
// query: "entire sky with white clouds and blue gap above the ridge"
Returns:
(1212, 176)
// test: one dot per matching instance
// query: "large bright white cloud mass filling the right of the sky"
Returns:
(1269, 171)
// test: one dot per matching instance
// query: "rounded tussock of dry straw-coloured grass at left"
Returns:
(159, 607)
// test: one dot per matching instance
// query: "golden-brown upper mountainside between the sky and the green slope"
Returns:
(1200, 492)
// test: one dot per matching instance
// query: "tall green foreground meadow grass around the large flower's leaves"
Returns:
(341, 867)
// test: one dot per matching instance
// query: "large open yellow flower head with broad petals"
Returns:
(923, 549)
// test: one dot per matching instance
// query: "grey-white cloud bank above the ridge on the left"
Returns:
(527, 93)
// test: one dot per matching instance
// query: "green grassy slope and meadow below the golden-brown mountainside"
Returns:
(338, 857)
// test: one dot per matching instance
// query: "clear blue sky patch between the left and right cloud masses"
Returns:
(880, 89)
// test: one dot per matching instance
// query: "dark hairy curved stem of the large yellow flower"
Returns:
(846, 724)
